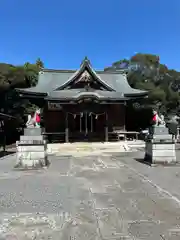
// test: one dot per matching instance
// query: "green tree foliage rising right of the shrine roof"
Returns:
(147, 73)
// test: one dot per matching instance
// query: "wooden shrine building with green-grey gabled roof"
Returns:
(82, 104)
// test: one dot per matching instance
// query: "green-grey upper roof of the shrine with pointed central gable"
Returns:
(57, 80)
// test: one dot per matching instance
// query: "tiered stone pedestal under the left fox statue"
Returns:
(32, 149)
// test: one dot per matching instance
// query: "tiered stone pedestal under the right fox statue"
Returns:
(160, 148)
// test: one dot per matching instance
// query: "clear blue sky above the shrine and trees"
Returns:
(62, 32)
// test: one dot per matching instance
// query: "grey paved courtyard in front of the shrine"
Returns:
(99, 197)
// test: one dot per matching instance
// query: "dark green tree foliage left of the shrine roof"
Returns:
(12, 77)
